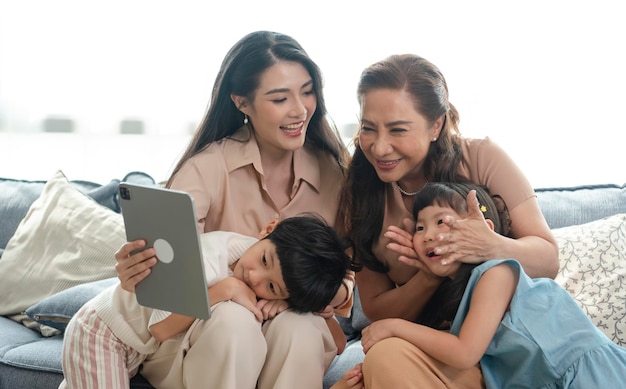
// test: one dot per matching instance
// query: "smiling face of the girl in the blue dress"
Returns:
(428, 226)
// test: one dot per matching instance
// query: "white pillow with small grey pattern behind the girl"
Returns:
(593, 270)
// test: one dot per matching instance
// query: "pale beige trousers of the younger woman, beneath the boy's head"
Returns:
(233, 350)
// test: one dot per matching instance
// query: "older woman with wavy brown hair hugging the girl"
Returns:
(409, 136)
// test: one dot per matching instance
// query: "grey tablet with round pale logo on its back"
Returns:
(166, 220)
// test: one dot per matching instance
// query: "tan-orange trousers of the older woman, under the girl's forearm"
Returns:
(396, 363)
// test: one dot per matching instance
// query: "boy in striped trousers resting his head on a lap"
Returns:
(299, 260)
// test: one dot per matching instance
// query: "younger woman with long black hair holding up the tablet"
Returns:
(265, 150)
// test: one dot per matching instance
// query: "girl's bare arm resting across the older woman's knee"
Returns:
(490, 300)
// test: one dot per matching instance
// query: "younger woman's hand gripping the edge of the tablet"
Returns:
(132, 269)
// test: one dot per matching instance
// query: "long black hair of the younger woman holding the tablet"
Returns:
(240, 74)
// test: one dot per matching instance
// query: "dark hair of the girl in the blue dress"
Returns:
(442, 307)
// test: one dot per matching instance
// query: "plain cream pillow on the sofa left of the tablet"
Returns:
(65, 239)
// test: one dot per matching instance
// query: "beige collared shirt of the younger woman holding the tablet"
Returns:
(227, 184)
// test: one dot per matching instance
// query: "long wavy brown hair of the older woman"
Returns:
(363, 197)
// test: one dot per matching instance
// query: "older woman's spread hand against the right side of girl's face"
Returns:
(468, 238)
